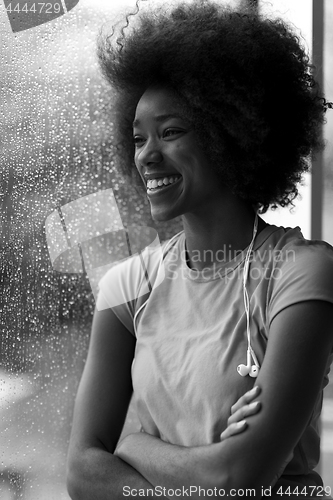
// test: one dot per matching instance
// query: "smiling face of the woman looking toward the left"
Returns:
(173, 167)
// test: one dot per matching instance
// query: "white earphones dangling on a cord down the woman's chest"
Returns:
(249, 368)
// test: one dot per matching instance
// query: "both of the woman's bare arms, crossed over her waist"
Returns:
(300, 341)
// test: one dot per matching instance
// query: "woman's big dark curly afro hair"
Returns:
(245, 85)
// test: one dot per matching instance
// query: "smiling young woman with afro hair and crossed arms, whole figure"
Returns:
(220, 112)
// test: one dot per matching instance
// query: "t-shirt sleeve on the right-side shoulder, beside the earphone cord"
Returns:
(302, 271)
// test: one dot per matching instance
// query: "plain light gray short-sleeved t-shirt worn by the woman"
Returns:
(191, 333)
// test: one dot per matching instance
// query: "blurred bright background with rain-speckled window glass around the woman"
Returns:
(56, 136)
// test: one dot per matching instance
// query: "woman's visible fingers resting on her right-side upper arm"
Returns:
(243, 408)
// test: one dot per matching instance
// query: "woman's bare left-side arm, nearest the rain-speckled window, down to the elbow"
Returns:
(100, 409)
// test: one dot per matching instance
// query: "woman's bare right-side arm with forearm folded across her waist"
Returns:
(300, 341)
